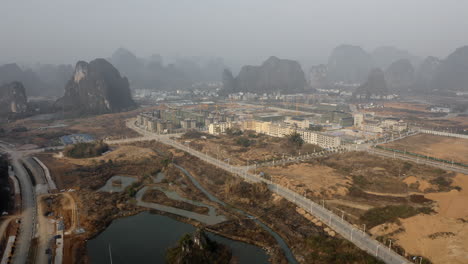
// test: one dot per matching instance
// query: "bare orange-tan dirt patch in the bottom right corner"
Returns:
(443, 236)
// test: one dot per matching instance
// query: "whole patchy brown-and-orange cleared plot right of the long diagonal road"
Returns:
(420, 208)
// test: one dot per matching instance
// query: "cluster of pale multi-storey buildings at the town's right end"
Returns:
(368, 123)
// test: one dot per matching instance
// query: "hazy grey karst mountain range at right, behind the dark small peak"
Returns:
(350, 66)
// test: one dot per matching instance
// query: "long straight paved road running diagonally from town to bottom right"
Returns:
(349, 232)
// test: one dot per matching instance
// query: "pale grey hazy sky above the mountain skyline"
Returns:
(63, 31)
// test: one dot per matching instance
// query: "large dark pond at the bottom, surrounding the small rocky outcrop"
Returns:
(144, 238)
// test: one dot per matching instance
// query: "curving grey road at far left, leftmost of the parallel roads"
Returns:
(28, 215)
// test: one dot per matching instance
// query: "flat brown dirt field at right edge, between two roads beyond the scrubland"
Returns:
(447, 148)
